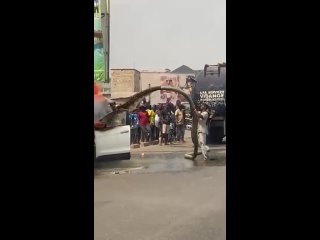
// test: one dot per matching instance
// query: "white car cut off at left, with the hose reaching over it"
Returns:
(112, 137)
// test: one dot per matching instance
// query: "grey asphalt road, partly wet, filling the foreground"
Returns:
(160, 196)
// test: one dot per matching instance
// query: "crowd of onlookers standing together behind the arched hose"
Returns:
(163, 122)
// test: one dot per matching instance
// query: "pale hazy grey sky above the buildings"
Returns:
(160, 34)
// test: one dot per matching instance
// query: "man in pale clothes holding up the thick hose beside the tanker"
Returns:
(203, 129)
